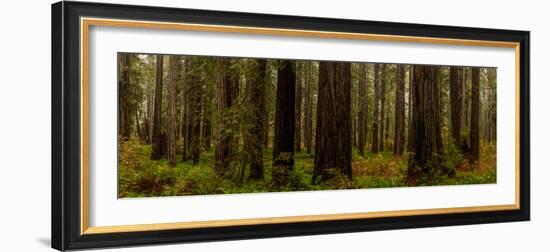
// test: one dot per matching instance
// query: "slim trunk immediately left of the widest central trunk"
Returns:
(308, 113)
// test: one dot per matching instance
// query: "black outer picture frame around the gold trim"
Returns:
(66, 125)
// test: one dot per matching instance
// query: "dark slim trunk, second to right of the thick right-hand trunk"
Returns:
(474, 121)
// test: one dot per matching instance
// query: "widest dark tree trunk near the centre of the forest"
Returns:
(332, 137)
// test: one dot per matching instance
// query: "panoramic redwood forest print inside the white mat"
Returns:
(210, 125)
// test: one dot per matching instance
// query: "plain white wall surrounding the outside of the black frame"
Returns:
(25, 125)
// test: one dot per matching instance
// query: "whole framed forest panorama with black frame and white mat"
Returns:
(181, 125)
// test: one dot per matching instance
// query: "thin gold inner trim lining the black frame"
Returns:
(86, 23)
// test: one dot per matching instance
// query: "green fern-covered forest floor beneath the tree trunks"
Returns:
(141, 177)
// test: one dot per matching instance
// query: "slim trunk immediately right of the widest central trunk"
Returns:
(361, 124)
